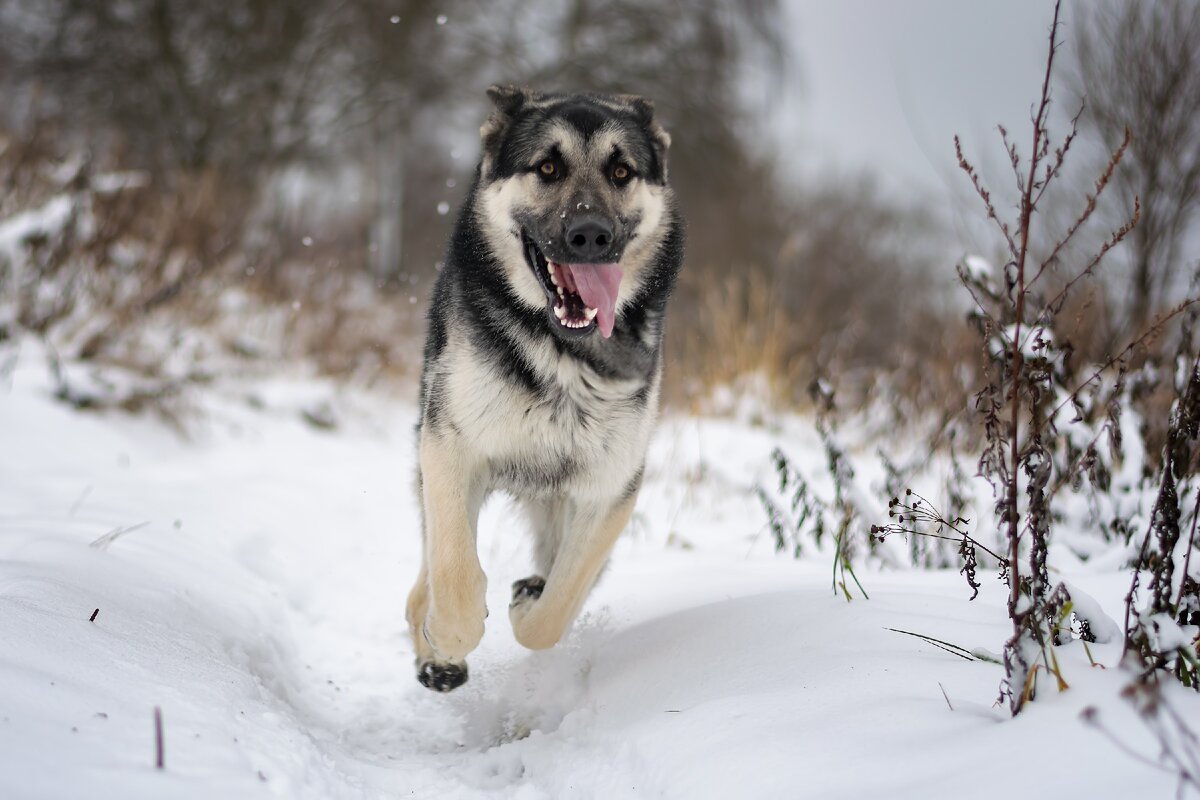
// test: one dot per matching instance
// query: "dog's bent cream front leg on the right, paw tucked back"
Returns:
(543, 611)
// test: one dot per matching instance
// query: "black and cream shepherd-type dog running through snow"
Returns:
(544, 360)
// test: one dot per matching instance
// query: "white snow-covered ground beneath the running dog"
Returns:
(253, 584)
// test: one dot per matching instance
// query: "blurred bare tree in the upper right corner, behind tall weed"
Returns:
(1138, 68)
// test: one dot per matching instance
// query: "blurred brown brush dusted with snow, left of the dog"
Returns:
(142, 285)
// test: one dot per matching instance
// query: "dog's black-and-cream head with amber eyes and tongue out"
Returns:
(575, 200)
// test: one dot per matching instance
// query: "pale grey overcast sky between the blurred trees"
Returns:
(887, 85)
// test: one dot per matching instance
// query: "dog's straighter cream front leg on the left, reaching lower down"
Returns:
(454, 601)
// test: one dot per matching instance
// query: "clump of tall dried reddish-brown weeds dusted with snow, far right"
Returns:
(1053, 430)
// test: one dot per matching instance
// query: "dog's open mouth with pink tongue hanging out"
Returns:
(581, 297)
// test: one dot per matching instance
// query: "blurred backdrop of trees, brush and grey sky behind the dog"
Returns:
(197, 188)
